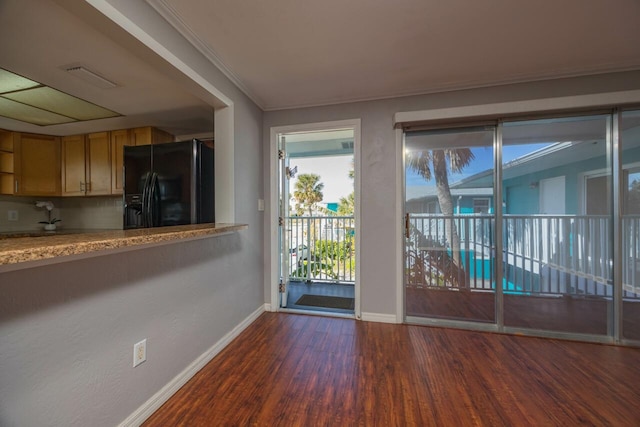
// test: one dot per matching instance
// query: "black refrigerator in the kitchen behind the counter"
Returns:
(168, 184)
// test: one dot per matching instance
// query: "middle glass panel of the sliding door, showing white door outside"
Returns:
(557, 225)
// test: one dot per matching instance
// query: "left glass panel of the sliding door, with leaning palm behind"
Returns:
(449, 220)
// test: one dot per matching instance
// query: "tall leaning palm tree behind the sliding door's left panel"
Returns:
(437, 163)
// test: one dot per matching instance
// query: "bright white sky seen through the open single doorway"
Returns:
(333, 171)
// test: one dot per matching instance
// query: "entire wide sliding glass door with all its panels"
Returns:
(529, 226)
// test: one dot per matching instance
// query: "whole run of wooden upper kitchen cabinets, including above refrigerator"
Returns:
(77, 165)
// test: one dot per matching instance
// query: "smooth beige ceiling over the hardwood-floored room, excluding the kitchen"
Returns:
(287, 53)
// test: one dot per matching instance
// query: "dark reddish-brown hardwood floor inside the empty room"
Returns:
(296, 370)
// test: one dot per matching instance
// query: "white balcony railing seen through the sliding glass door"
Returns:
(542, 254)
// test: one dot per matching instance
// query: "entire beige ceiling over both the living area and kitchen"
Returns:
(287, 54)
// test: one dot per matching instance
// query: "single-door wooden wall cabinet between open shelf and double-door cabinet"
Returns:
(37, 165)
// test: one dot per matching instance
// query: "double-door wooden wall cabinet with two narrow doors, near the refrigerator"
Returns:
(86, 165)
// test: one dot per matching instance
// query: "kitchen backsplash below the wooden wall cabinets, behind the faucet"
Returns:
(75, 212)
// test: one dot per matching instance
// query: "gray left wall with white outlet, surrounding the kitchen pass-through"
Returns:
(67, 330)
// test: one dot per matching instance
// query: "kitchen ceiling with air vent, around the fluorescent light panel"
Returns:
(40, 38)
